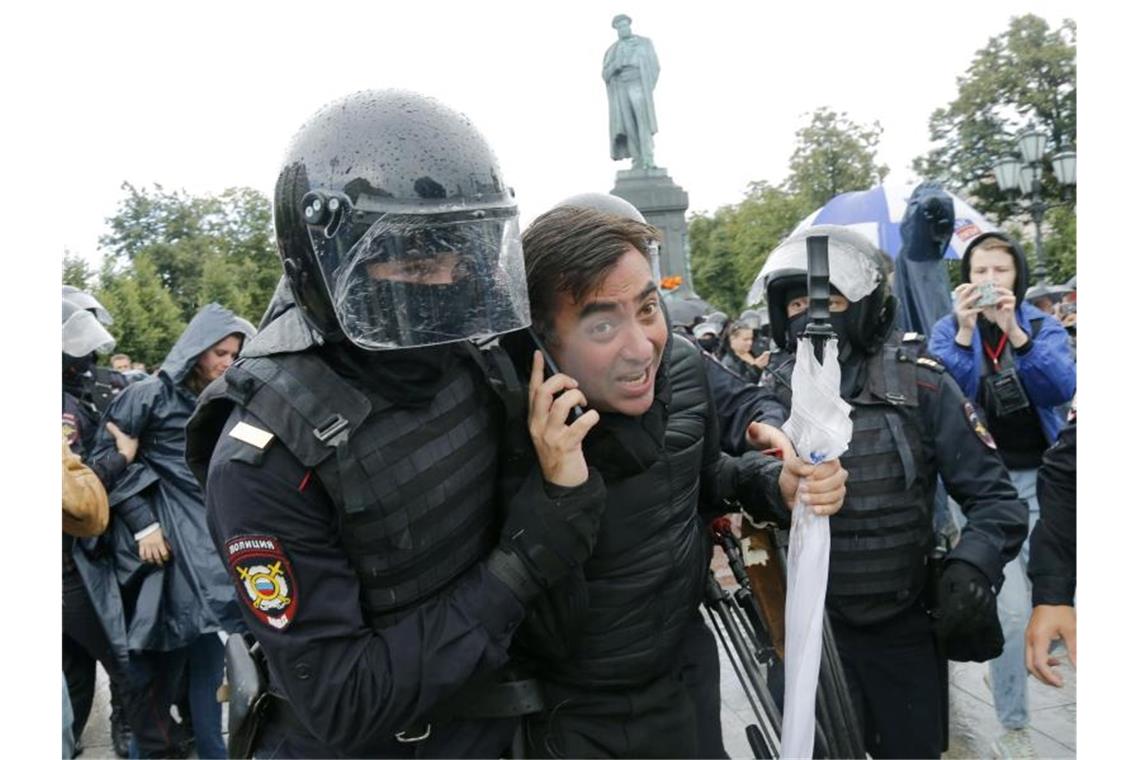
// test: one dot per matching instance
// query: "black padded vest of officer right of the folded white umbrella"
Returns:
(882, 536)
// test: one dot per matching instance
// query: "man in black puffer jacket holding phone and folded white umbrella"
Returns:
(612, 642)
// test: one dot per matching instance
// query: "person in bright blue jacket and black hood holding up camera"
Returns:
(1015, 362)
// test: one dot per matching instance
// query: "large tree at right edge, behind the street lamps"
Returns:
(1025, 75)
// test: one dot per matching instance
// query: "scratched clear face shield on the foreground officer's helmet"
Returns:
(414, 281)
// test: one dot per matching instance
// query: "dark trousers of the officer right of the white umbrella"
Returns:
(894, 673)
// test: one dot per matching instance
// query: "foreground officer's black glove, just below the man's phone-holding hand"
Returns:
(548, 536)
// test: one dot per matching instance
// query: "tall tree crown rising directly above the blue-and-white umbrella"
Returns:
(834, 156)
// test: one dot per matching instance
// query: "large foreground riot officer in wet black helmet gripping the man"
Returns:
(353, 492)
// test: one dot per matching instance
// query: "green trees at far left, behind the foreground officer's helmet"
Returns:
(213, 248)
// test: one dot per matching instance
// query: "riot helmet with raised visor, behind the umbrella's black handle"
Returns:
(859, 272)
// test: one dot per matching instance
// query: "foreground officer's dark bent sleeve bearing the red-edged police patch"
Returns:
(352, 687)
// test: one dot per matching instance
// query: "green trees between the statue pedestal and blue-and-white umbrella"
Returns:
(729, 248)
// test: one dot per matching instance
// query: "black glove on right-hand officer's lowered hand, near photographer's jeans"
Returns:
(968, 628)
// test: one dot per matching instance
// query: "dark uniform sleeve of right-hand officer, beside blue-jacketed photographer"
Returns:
(974, 475)
